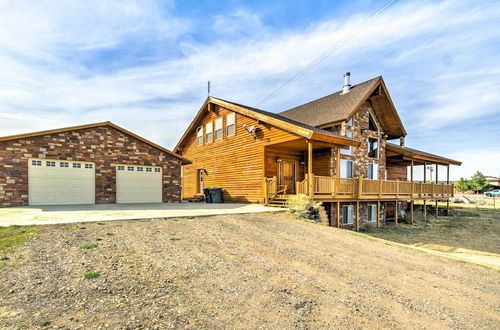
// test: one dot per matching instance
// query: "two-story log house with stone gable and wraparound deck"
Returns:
(335, 149)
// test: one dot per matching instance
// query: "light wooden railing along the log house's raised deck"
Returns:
(327, 188)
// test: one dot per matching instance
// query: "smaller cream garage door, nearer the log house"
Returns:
(138, 184)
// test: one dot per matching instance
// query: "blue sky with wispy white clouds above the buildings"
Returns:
(145, 64)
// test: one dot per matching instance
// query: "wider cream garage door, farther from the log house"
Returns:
(59, 182)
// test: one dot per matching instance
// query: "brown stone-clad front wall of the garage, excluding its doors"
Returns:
(104, 146)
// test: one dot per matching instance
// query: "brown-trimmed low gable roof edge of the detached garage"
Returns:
(106, 123)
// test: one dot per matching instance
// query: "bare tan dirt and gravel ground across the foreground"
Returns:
(237, 271)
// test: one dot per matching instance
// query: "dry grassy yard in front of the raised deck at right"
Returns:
(471, 229)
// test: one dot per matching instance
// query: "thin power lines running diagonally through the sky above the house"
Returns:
(336, 46)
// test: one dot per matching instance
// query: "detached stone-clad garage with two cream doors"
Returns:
(99, 163)
